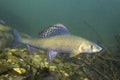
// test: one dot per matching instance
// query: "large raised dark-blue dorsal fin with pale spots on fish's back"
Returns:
(57, 29)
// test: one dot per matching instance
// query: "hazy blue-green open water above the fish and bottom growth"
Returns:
(31, 16)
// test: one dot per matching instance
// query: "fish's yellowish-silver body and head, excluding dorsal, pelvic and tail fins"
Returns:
(63, 43)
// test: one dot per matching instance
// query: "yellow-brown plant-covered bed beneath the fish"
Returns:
(19, 64)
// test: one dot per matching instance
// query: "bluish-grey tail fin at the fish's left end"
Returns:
(17, 38)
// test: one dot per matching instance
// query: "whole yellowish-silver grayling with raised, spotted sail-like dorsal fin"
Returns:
(57, 39)
